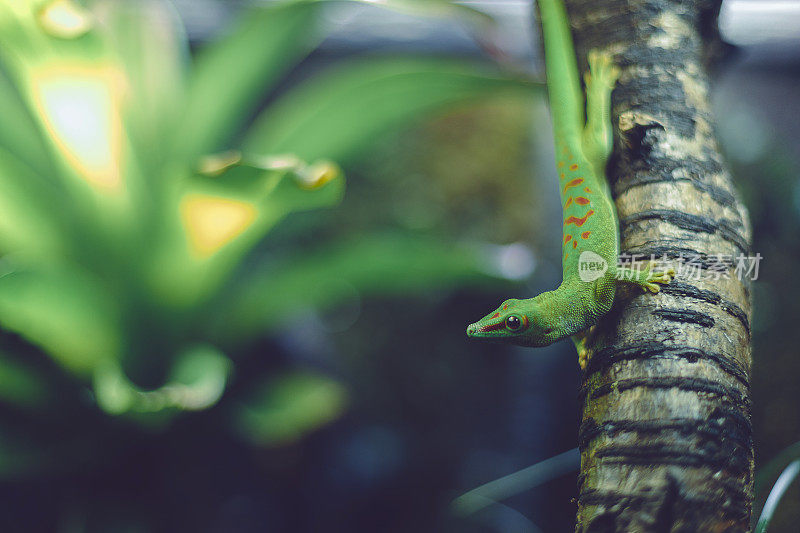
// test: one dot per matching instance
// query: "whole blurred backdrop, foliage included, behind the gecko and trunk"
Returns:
(203, 331)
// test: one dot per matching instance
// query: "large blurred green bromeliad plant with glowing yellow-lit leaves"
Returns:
(130, 194)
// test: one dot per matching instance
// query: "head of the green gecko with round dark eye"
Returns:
(521, 322)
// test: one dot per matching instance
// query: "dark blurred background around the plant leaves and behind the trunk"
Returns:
(429, 414)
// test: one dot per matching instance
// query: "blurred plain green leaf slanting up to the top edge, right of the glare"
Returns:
(230, 76)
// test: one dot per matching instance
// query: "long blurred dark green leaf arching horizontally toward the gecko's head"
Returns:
(375, 264)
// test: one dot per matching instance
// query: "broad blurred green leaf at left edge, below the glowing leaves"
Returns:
(64, 312)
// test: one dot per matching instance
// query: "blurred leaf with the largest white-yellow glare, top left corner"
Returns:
(60, 73)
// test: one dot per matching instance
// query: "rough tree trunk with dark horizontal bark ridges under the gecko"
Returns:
(665, 436)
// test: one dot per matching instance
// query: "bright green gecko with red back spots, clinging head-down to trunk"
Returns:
(591, 228)
